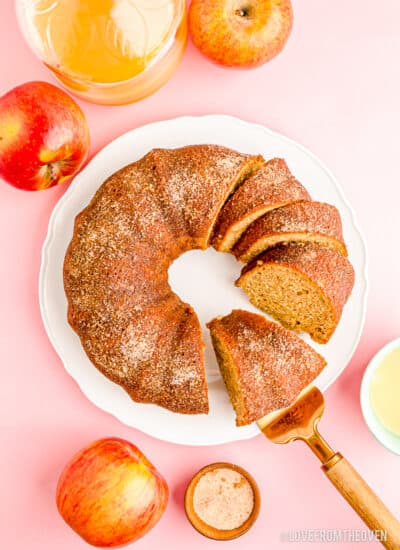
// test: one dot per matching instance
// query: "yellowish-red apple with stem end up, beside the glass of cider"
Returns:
(240, 33)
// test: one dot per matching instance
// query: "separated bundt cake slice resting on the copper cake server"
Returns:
(264, 365)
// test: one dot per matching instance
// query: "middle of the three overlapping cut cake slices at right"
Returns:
(303, 221)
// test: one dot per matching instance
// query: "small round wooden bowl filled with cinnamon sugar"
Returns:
(222, 501)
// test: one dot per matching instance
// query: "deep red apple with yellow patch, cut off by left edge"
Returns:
(44, 136)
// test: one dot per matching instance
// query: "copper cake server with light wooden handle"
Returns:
(299, 421)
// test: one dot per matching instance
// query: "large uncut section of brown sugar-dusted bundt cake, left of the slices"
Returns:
(133, 327)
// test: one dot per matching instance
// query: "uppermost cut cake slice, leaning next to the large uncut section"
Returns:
(271, 187)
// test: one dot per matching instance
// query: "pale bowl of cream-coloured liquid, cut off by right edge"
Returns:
(380, 396)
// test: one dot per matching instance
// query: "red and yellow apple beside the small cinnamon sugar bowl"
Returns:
(110, 494)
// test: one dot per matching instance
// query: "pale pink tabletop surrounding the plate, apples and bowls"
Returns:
(335, 89)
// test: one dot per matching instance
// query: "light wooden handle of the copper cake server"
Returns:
(364, 501)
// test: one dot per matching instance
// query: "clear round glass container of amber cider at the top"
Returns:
(107, 51)
